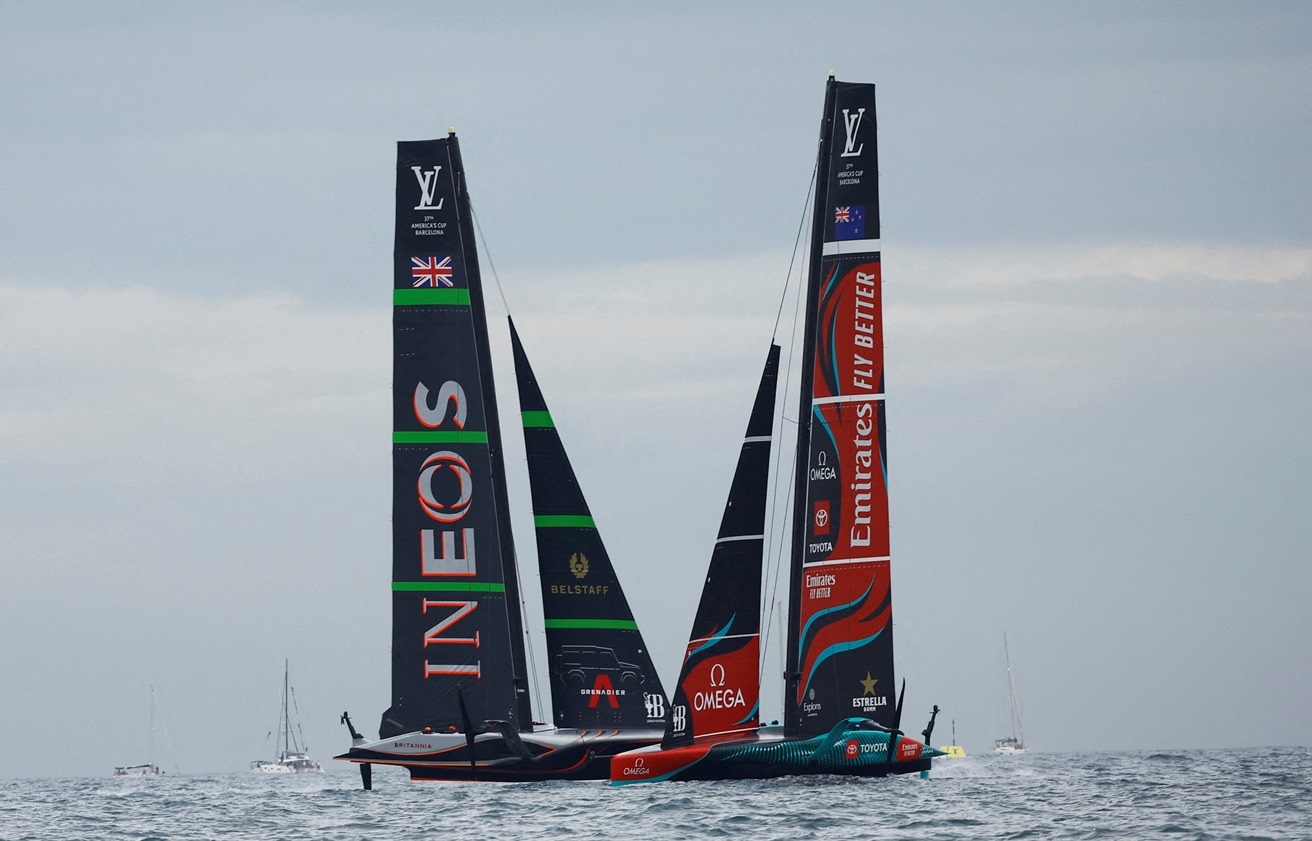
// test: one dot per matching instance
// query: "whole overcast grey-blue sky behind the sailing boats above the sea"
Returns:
(1097, 230)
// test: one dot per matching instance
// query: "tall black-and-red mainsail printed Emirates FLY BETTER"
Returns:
(840, 625)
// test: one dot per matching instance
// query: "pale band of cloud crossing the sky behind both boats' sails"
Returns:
(137, 369)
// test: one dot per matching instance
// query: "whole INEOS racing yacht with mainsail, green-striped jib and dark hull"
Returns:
(461, 707)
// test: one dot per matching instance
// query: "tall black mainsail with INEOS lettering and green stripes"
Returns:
(456, 619)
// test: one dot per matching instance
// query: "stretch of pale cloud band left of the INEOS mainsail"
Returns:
(136, 371)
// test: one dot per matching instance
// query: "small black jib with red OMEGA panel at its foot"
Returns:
(720, 684)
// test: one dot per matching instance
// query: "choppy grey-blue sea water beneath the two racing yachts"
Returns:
(1261, 793)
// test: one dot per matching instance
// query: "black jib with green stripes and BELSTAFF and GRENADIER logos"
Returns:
(602, 674)
